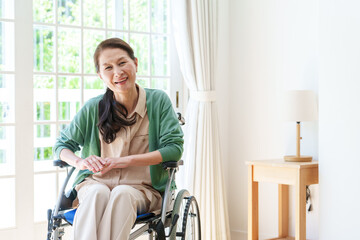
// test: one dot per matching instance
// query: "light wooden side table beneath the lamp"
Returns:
(283, 173)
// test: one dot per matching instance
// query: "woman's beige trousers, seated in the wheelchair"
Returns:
(105, 214)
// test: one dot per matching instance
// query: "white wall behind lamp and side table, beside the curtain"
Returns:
(272, 48)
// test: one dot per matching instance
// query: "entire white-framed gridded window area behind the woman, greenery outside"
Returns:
(64, 36)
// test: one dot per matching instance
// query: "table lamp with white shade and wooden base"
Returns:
(300, 105)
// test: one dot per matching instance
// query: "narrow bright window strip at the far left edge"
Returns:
(7, 114)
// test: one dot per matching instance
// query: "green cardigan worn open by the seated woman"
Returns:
(165, 134)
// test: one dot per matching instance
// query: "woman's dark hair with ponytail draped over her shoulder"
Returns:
(112, 114)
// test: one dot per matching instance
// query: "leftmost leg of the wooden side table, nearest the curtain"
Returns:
(253, 206)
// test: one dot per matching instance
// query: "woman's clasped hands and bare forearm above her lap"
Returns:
(102, 165)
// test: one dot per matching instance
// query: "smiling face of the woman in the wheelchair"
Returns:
(117, 70)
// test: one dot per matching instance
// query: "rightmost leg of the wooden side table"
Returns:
(300, 211)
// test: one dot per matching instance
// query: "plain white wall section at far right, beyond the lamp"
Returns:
(339, 141)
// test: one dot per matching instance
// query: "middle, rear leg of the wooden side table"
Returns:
(283, 210)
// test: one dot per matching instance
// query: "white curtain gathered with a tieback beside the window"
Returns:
(195, 33)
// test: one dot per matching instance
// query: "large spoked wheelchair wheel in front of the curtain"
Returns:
(188, 224)
